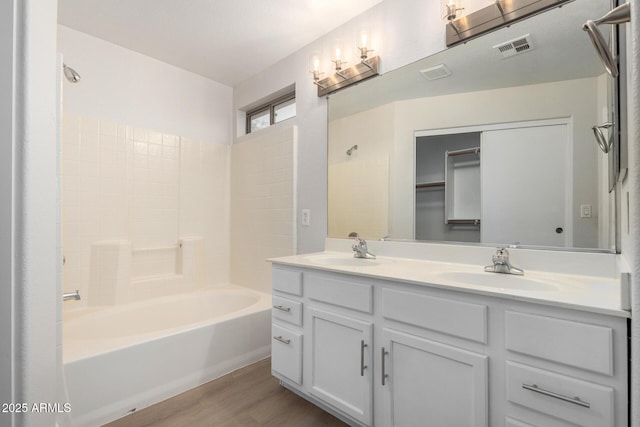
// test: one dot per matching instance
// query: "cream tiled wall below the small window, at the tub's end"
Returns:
(263, 223)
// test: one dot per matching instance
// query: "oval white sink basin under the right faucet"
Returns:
(497, 280)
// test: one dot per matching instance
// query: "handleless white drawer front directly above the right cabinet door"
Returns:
(457, 318)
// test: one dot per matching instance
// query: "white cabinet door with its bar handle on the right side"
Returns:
(341, 363)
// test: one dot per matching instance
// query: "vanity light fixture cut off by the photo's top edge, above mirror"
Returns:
(500, 14)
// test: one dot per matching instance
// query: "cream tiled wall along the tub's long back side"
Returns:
(147, 189)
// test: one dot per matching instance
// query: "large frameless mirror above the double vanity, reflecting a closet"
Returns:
(472, 145)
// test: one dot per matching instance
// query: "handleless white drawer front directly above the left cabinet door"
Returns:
(340, 292)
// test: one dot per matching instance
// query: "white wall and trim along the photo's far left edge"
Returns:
(28, 193)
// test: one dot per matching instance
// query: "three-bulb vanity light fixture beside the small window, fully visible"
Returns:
(343, 77)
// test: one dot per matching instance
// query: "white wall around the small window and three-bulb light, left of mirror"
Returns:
(402, 32)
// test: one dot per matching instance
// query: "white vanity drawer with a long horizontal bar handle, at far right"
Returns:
(579, 402)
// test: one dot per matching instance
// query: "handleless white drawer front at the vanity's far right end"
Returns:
(582, 345)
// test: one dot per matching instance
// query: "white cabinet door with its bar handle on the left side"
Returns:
(427, 383)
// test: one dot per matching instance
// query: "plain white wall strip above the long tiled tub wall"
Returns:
(126, 87)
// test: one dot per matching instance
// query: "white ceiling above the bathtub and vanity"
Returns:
(225, 40)
